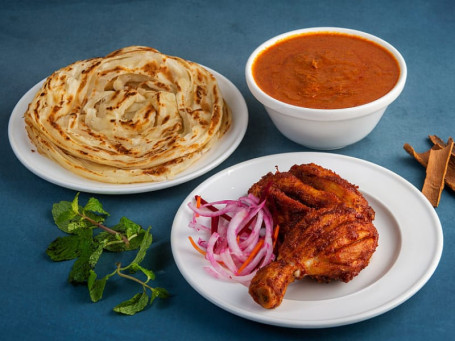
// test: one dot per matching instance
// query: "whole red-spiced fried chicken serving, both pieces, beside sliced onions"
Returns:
(328, 235)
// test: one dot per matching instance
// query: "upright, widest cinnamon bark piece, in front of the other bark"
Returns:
(438, 161)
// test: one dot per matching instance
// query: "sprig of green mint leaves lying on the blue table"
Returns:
(86, 247)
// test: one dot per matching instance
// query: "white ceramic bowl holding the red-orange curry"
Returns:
(325, 129)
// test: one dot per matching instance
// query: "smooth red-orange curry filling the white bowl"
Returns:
(326, 70)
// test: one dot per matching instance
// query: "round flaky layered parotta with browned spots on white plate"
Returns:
(135, 115)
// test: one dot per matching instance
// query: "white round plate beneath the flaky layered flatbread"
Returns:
(54, 173)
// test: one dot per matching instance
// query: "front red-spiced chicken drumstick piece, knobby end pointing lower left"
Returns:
(327, 244)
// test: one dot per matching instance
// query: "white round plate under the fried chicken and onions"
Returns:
(410, 246)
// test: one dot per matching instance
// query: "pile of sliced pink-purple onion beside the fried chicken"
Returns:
(241, 225)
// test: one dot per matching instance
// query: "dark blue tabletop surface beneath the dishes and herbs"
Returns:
(38, 37)
